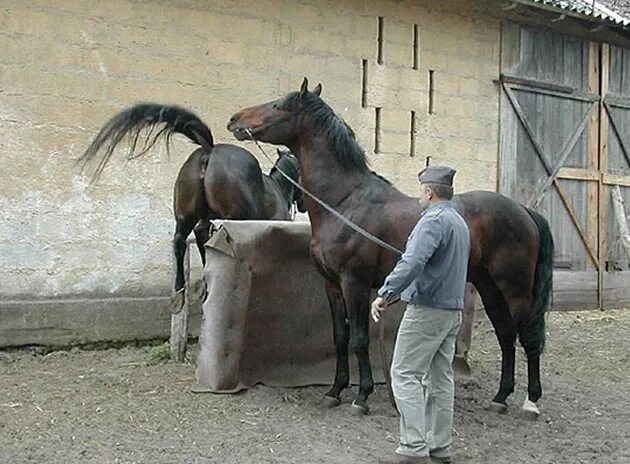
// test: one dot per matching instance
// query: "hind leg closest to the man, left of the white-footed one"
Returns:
(498, 312)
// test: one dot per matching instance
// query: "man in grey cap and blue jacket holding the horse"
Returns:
(430, 277)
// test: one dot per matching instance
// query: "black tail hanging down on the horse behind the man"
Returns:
(532, 333)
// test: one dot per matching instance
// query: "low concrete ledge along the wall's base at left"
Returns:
(88, 320)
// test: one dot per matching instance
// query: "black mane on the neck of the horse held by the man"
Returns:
(341, 140)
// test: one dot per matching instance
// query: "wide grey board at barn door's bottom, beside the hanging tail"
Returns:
(574, 290)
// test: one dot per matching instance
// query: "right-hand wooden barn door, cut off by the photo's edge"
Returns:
(615, 167)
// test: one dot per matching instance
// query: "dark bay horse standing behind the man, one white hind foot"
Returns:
(511, 254)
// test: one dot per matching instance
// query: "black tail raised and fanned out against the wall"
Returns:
(146, 116)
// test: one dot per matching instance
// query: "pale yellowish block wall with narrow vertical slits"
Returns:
(69, 65)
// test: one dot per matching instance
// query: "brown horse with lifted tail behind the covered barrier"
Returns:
(216, 182)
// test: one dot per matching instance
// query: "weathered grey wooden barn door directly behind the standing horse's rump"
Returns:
(549, 151)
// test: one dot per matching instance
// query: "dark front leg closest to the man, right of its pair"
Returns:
(357, 297)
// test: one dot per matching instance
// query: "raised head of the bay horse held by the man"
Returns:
(274, 122)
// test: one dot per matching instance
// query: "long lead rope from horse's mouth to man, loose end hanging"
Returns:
(381, 330)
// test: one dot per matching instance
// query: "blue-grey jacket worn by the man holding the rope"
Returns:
(432, 271)
